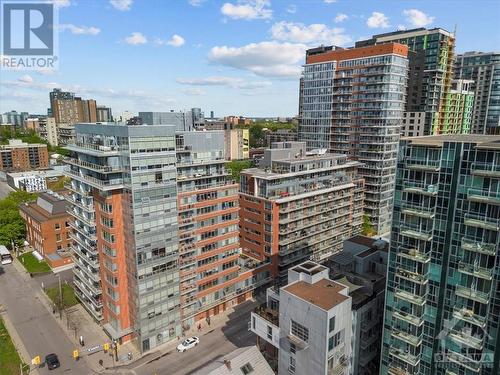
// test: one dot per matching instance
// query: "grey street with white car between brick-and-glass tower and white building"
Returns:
(213, 346)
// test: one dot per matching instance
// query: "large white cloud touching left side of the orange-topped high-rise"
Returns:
(267, 59)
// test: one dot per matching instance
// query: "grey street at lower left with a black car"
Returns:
(38, 329)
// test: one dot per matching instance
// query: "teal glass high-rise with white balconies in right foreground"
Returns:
(442, 297)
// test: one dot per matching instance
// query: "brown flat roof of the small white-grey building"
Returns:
(324, 294)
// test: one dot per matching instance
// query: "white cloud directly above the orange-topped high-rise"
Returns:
(315, 33)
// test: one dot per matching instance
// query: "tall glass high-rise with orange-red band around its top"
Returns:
(352, 102)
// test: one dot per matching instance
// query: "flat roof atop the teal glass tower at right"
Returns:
(485, 141)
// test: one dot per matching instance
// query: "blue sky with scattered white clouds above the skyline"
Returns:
(240, 57)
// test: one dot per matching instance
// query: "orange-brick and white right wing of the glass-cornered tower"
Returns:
(214, 276)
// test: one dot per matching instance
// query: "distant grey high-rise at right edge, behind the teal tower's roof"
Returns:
(484, 69)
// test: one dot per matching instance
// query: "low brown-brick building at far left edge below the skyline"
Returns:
(18, 156)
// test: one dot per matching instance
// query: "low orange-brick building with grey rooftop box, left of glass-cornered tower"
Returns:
(47, 228)
